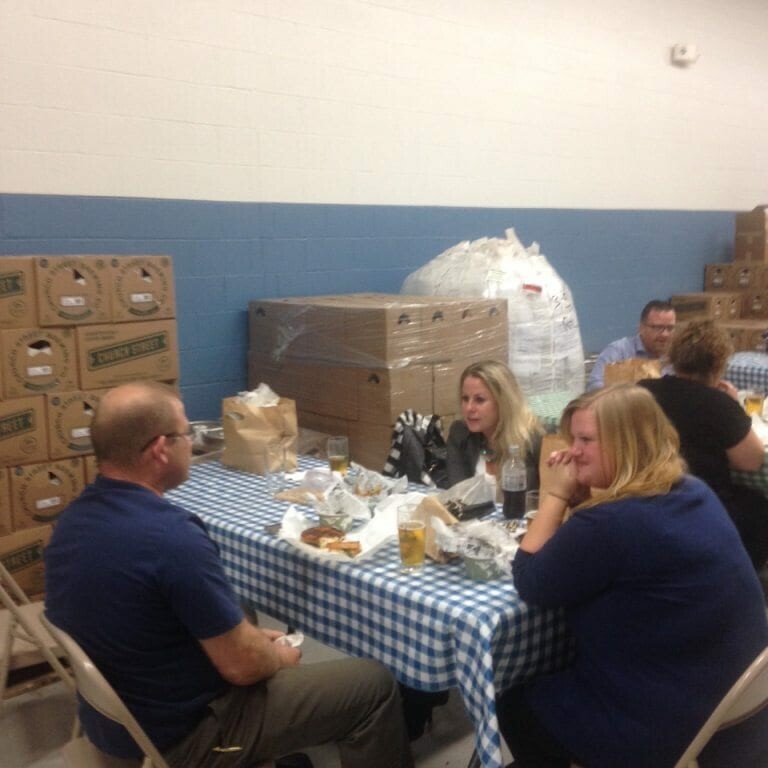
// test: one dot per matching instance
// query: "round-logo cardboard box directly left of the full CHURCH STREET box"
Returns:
(37, 360)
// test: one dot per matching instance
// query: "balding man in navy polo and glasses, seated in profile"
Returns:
(137, 581)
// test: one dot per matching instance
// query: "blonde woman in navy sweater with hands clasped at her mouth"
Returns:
(660, 596)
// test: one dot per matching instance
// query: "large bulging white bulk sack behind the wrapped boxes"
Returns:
(545, 351)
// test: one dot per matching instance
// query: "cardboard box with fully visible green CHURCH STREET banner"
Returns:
(121, 352)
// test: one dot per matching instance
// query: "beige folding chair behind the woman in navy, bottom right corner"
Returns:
(748, 695)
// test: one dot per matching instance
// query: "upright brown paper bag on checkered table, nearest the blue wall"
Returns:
(260, 439)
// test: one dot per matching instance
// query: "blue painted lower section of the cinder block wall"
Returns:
(225, 254)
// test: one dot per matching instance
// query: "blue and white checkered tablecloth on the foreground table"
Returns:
(435, 630)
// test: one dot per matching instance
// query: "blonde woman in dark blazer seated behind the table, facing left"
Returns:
(495, 415)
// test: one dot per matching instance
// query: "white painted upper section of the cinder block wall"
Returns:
(502, 103)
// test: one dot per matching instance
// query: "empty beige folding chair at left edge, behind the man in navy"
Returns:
(24, 642)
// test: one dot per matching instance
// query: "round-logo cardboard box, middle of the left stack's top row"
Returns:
(73, 290)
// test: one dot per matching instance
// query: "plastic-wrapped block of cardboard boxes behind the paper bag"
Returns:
(354, 362)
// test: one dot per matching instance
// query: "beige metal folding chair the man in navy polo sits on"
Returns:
(94, 688)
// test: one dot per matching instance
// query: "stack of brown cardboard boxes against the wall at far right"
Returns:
(736, 292)
